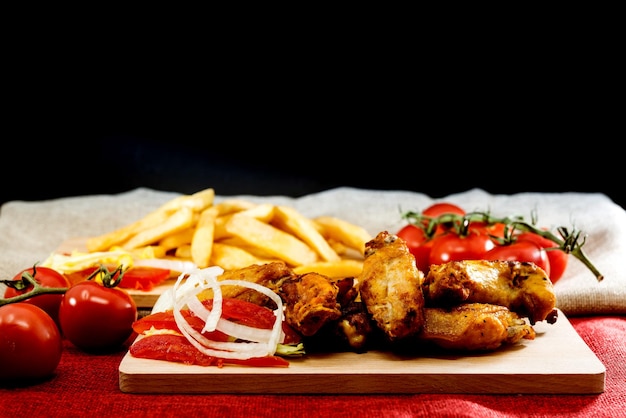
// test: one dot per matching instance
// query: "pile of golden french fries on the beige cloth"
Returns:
(237, 233)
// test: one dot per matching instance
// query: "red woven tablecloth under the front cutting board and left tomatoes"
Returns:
(88, 385)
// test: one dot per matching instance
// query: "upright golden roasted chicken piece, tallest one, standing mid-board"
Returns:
(390, 286)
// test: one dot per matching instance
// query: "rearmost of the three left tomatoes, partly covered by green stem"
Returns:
(46, 277)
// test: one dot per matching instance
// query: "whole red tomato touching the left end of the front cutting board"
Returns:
(95, 317)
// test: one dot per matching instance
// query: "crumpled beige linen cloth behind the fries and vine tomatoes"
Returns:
(30, 231)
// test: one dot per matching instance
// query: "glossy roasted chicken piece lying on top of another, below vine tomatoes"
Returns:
(522, 287)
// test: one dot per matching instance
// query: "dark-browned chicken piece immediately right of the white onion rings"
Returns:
(310, 302)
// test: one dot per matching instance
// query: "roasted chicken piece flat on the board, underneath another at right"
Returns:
(474, 327)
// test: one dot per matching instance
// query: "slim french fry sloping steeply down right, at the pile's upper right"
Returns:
(292, 221)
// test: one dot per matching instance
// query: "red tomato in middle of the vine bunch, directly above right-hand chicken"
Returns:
(452, 247)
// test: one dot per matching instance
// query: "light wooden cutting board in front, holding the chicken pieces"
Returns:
(557, 362)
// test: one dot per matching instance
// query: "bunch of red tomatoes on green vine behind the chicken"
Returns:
(445, 232)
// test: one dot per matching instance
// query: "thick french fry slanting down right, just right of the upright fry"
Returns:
(274, 241)
